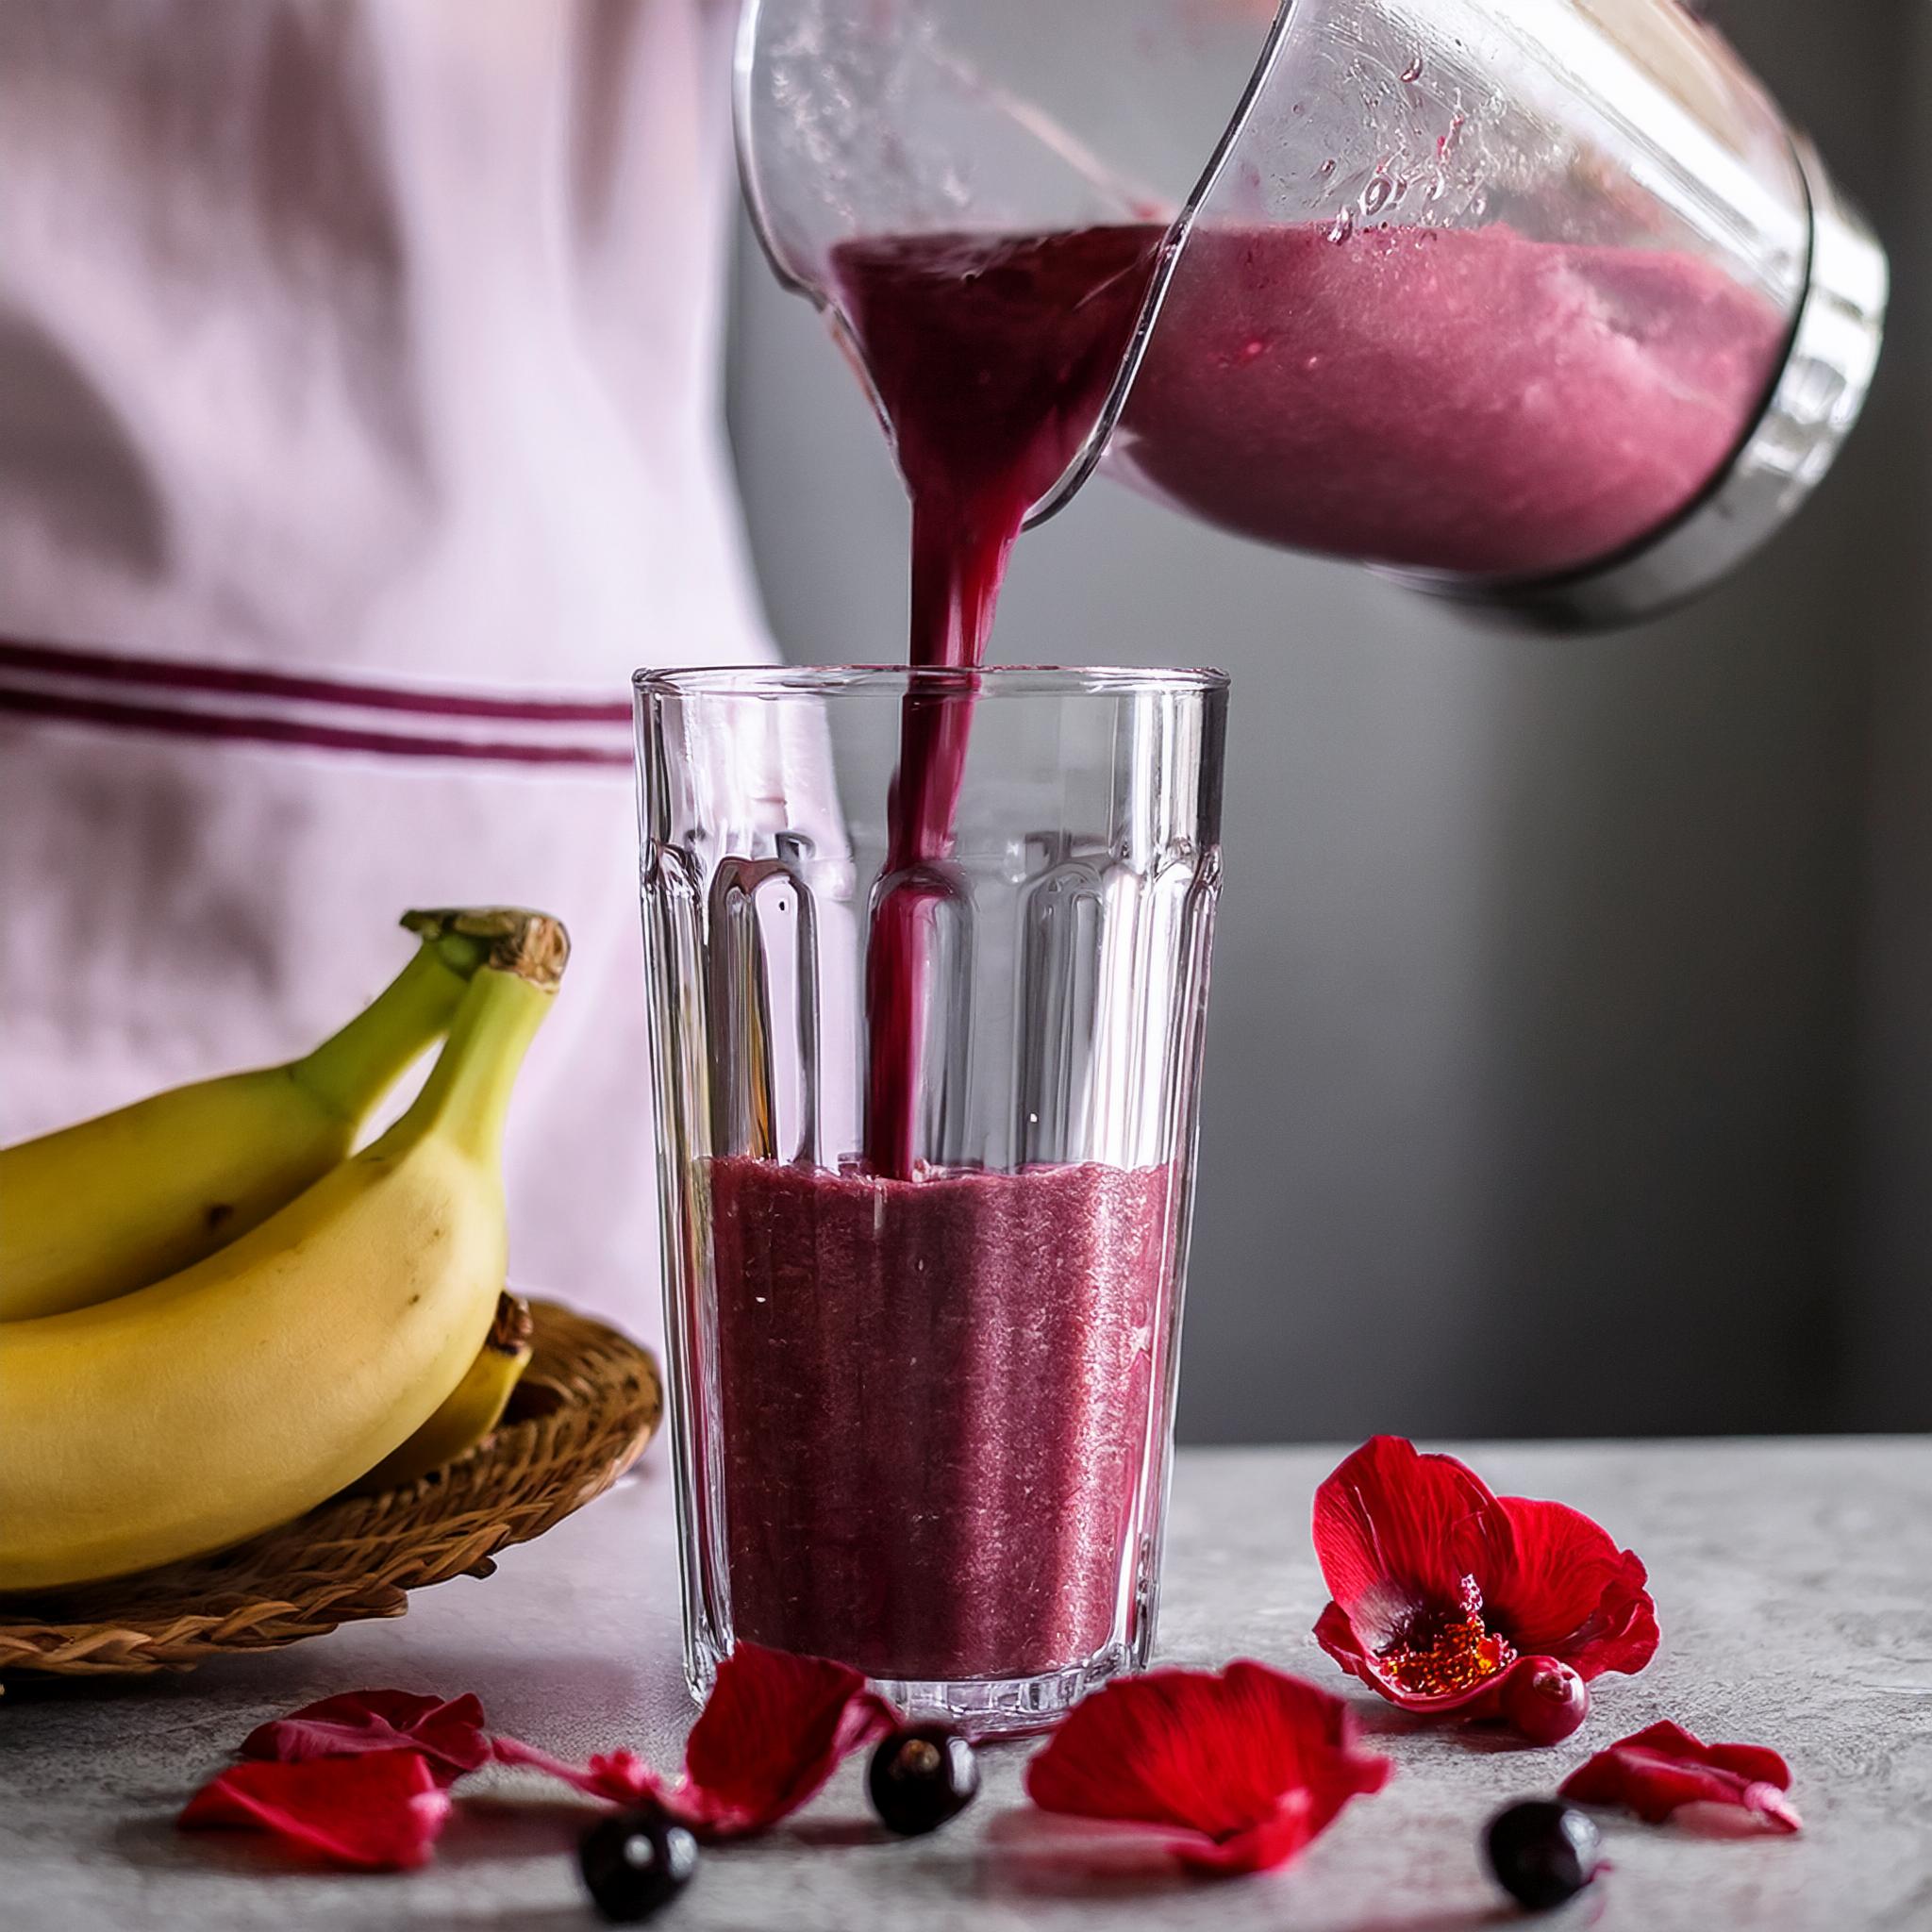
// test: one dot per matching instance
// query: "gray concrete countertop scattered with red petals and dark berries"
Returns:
(1794, 1581)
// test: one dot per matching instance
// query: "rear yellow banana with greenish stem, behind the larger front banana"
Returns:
(144, 1193)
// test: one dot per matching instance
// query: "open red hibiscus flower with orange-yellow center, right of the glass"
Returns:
(1444, 1591)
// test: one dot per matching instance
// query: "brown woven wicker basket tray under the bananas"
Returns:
(582, 1413)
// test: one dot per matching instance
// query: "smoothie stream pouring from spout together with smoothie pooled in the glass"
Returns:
(1023, 1311)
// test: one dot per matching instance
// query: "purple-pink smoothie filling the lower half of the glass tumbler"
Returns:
(940, 1409)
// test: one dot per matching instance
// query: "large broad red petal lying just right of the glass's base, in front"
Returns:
(1243, 1769)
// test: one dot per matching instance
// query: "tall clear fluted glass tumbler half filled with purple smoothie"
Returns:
(921, 1415)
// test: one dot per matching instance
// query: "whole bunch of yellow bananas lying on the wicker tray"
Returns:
(337, 1311)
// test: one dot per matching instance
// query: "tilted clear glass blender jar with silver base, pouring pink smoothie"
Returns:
(1537, 304)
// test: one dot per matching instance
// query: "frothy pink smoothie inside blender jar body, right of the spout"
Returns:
(1446, 399)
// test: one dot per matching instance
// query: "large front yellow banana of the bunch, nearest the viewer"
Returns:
(252, 1386)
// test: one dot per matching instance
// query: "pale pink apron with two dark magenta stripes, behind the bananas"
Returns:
(358, 438)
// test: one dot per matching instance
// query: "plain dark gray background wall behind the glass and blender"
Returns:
(1572, 1048)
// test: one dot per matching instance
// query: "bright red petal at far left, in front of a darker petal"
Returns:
(378, 1813)
